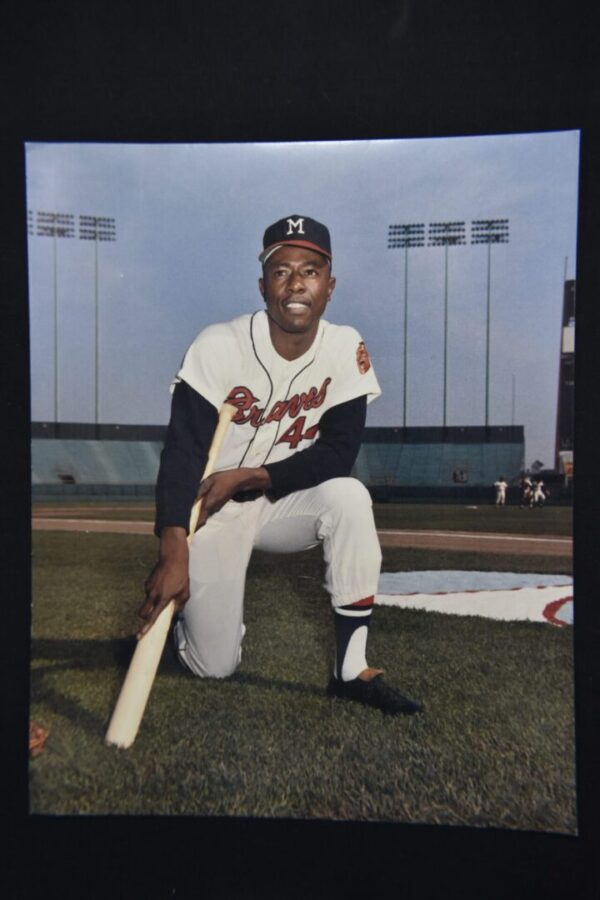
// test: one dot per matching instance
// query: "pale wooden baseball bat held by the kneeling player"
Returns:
(130, 706)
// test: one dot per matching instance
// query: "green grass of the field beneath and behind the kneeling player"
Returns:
(495, 746)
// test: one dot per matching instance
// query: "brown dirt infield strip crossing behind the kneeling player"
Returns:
(430, 540)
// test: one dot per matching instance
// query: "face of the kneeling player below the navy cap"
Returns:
(296, 286)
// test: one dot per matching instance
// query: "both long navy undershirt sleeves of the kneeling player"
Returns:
(192, 424)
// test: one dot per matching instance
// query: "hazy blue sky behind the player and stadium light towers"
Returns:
(189, 224)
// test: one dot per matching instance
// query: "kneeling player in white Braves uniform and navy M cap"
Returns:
(281, 482)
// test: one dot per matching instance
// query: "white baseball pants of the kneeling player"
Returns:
(337, 514)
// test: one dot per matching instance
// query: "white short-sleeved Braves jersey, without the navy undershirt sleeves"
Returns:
(279, 402)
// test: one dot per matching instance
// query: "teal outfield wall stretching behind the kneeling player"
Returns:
(448, 464)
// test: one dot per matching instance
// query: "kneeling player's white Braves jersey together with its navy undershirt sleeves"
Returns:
(314, 432)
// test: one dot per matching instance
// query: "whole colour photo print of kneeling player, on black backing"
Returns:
(359, 606)
